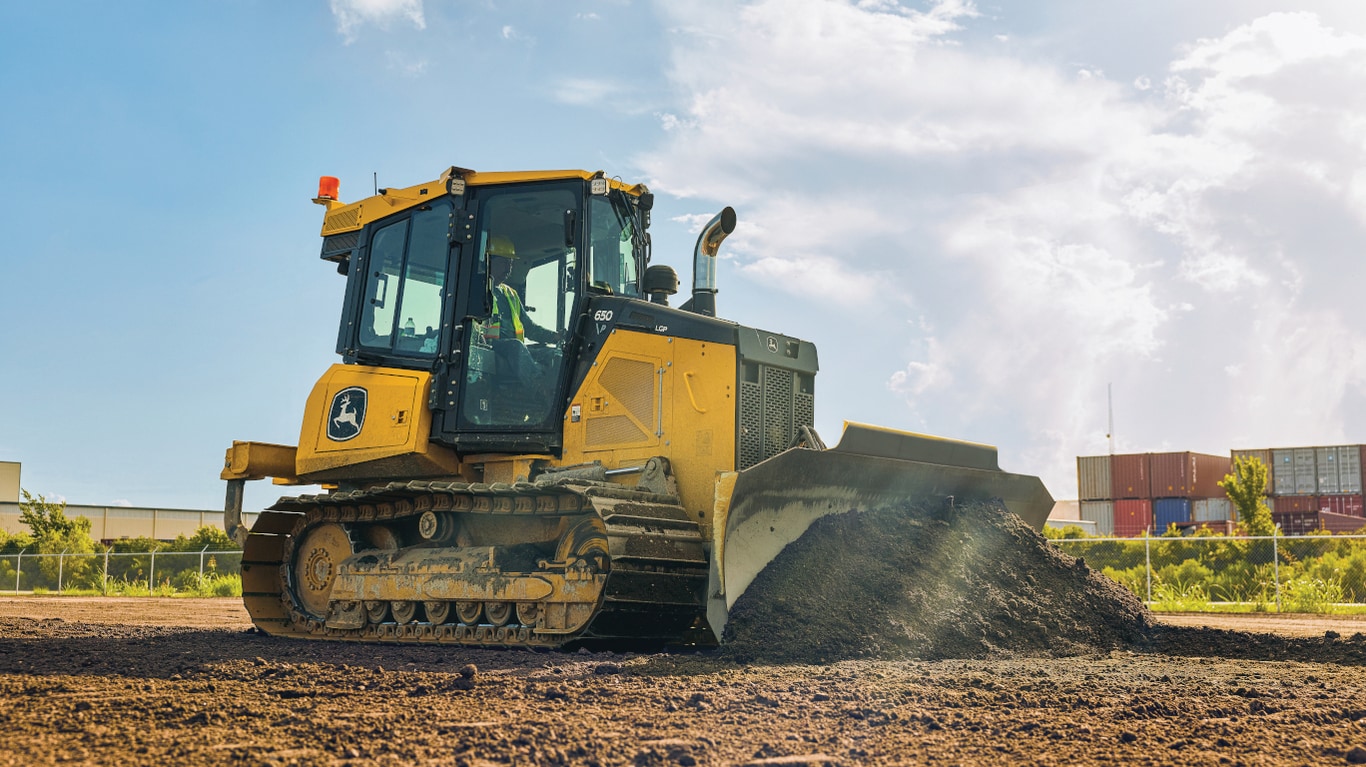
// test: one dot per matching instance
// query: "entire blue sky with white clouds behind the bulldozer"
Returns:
(983, 214)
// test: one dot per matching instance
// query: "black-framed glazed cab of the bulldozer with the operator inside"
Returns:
(487, 291)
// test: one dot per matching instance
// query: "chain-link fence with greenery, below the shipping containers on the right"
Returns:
(1318, 574)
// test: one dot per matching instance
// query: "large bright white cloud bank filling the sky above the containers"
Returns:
(1063, 232)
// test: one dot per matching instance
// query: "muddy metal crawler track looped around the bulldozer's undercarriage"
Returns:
(650, 589)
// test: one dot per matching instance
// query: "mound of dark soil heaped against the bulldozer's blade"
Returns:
(930, 582)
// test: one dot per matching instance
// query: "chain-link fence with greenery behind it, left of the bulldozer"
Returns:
(130, 574)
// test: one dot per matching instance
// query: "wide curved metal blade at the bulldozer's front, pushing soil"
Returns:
(774, 502)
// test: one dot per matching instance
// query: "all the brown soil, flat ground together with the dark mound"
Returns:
(965, 641)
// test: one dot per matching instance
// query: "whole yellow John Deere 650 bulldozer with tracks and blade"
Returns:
(527, 445)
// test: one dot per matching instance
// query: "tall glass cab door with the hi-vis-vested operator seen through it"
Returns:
(524, 306)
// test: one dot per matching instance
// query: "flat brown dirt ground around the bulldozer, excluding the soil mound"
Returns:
(156, 682)
